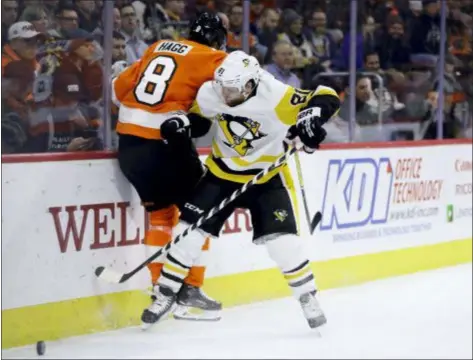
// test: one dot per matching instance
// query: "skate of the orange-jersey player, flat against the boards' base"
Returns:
(194, 304)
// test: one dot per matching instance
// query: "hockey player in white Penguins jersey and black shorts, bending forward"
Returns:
(254, 112)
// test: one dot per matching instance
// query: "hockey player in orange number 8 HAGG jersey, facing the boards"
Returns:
(153, 96)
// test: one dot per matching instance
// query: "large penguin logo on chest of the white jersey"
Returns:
(239, 132)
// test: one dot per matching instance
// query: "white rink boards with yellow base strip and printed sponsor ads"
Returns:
(387, 211)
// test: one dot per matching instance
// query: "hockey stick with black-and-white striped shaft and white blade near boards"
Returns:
(112, 276)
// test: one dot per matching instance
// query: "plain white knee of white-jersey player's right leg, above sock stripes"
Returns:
(286, 250)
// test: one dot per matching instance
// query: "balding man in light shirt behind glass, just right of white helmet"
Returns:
(283, 62)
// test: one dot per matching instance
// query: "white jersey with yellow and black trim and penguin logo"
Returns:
(250, 136)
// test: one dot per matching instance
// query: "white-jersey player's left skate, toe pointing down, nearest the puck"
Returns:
(164, 302)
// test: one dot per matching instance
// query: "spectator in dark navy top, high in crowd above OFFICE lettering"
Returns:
(392, 48)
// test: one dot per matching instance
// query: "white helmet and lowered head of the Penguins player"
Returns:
(237, 77)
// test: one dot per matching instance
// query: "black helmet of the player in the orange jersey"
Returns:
(208, 30)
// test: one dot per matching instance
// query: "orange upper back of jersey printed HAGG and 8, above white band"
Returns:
(167, 77)
